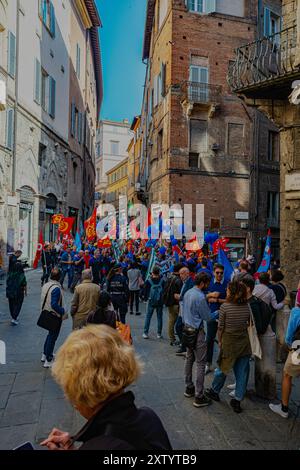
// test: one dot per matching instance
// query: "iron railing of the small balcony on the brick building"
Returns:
(202, 93)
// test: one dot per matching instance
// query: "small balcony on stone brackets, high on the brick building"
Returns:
(202, 95)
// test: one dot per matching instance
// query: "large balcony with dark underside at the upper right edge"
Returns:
(266, 68)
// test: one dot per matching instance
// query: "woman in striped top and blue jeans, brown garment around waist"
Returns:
(235, 348)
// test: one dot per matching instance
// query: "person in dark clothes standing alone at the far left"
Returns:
(16, 286)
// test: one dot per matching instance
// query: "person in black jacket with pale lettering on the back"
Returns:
(117, 286)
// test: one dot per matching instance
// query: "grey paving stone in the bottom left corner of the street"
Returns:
(13, 436)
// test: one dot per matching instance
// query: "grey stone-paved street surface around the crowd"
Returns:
(31, 403)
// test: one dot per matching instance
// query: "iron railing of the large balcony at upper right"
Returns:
(264, 60)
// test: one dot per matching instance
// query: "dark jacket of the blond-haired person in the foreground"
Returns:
(120, 425)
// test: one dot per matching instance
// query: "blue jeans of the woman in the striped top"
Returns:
(241, 371)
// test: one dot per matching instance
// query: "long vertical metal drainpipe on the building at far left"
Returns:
(14, 153)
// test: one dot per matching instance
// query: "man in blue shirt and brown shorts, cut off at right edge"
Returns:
(292, 365)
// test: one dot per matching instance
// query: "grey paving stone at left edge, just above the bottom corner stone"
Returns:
(22, 408)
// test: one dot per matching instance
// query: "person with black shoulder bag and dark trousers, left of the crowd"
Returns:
(52, 301)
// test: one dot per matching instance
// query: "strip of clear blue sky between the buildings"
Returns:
(121, 50)
